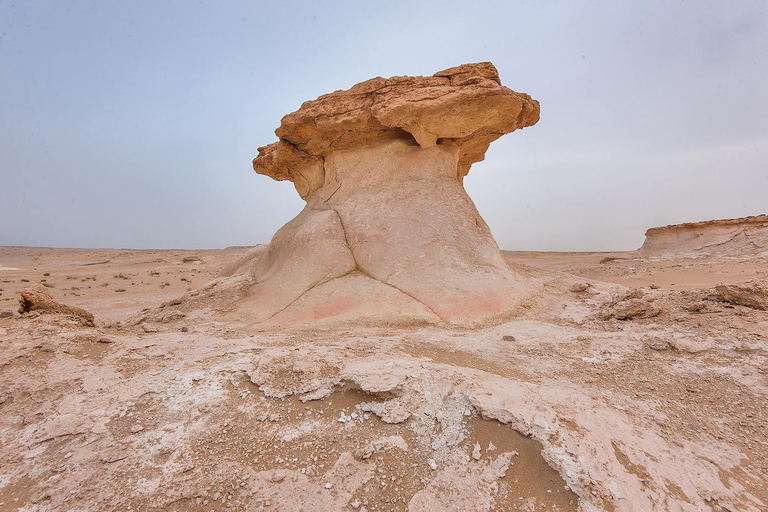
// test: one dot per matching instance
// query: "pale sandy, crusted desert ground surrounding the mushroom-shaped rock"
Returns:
(578, 405)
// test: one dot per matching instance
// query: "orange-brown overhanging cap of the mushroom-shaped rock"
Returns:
(465, 106)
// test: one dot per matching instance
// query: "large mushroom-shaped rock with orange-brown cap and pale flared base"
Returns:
(388, 233)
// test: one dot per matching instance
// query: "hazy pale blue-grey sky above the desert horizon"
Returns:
(134, 124)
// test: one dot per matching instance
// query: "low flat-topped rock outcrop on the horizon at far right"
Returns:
(735, 237)
